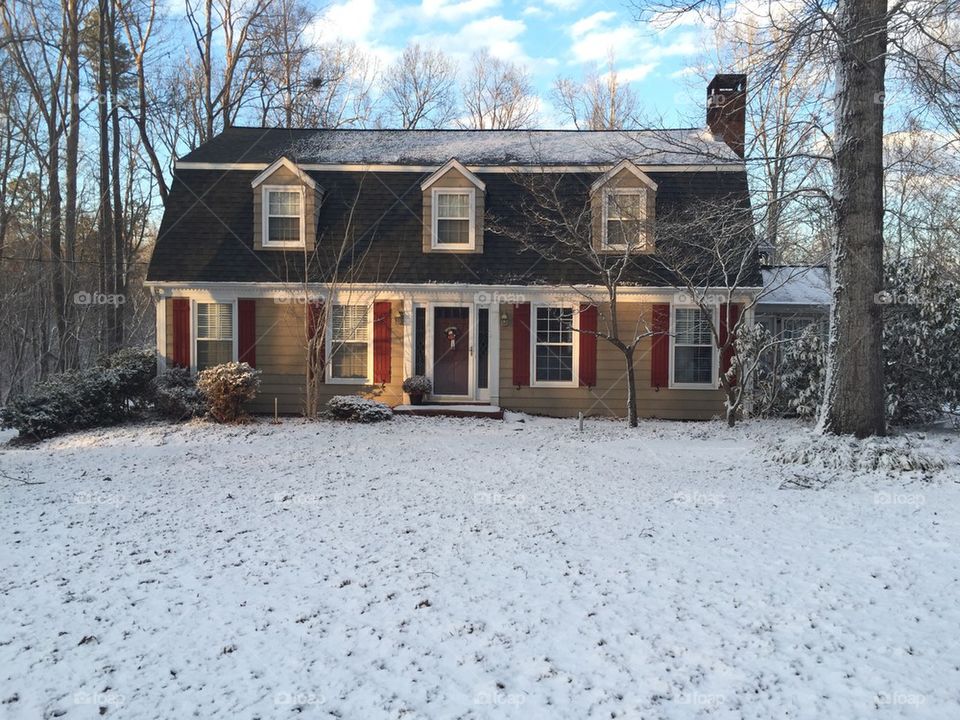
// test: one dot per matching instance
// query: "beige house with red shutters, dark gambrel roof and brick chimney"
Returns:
(382, 246)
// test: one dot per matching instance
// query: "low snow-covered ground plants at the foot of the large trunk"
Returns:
(893, 454)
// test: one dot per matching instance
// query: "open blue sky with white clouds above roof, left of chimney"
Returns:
(550, 38)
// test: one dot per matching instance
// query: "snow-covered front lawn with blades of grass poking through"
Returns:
(438, 568)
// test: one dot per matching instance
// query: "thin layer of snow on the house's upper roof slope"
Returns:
(487, 147)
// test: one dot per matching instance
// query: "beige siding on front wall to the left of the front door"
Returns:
(281, 358)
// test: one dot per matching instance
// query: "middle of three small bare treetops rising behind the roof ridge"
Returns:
(498, 95)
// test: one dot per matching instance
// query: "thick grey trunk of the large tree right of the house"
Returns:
(854, 395)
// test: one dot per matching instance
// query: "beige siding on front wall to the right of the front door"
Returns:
(609, 397)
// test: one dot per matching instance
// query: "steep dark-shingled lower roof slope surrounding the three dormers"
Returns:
(207, 230)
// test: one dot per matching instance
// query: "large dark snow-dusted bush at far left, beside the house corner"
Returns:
(104, 394)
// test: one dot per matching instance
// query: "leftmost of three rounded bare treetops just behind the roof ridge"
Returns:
(419, 89)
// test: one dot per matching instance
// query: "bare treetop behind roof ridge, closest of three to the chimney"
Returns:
(600, 101)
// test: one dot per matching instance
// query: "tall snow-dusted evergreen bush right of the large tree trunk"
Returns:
(921, 344)
